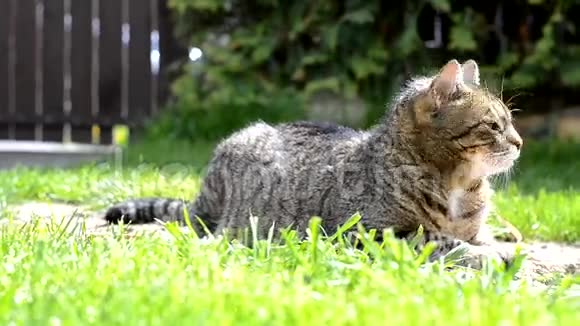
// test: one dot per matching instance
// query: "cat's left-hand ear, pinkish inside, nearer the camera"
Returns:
(446, 82)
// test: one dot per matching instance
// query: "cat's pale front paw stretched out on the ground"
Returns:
(476, 255)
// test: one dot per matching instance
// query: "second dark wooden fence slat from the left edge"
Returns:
(25, 69)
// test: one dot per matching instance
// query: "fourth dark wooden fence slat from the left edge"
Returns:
(80, 71)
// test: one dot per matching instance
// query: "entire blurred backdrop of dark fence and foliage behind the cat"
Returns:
(89, 71)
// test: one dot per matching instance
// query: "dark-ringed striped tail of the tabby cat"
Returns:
(147, 210)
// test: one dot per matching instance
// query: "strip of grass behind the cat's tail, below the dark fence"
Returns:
(153, 169)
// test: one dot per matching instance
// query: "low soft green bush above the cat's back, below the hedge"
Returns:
(200, 113)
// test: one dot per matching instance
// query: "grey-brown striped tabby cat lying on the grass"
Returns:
(427, 163)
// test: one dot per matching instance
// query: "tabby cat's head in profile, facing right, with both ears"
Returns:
(458, 121)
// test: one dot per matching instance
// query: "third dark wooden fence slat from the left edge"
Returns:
(53, 70)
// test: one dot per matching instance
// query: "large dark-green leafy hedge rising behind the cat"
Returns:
(266, 58)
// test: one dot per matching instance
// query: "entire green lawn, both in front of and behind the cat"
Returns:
(50, 277)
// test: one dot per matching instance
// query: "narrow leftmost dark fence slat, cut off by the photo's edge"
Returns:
(4, 47)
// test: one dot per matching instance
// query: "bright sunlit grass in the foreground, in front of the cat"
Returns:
(47, 277)
